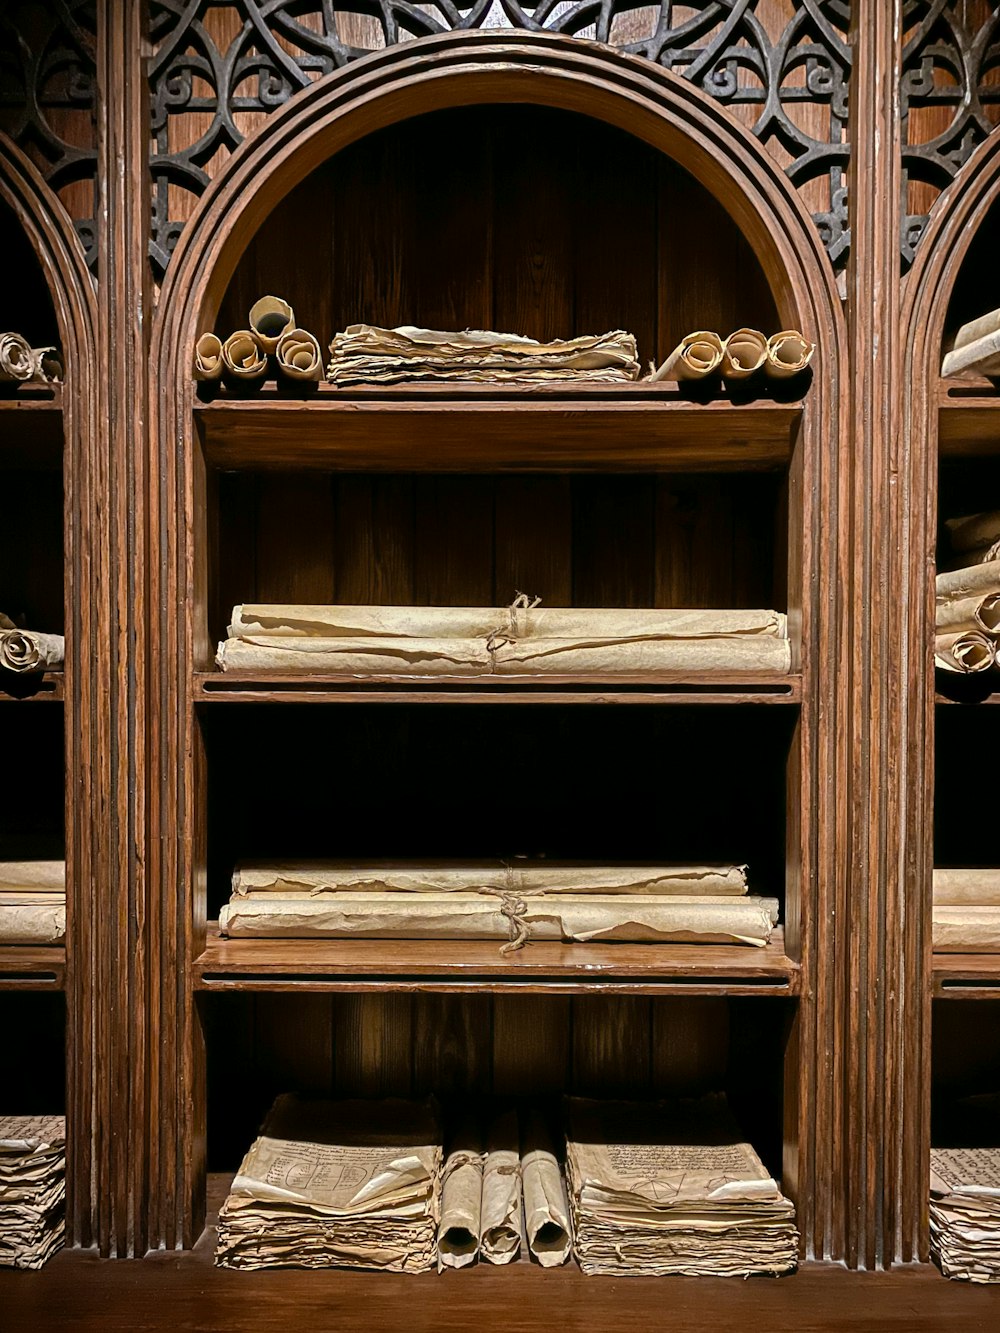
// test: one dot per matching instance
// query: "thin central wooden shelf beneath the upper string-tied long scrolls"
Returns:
(242, 687)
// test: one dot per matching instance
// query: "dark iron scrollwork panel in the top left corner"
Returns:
(49, 99)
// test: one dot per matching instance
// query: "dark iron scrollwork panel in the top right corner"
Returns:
(950, 98)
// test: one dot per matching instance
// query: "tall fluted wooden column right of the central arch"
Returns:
(883, 984)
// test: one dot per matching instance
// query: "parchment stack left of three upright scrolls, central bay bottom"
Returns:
(353, 1184)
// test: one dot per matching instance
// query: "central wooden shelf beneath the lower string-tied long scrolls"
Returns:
(477, 966)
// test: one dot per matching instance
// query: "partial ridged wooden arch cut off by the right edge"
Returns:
(929, 287)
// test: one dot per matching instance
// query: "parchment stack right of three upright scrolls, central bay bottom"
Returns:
(670, 1190)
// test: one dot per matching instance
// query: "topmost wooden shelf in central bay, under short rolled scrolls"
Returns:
(438, 429)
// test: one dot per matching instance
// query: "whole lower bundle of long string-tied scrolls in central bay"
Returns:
(515, 902)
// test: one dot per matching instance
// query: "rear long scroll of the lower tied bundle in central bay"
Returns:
(315, 879)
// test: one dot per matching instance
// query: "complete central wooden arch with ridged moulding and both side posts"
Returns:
(370, 94)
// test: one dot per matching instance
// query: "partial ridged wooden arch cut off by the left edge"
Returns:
(65, 267)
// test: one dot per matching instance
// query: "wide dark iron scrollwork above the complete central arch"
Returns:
(219, 66)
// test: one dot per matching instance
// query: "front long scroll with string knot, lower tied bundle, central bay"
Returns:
(518, 920)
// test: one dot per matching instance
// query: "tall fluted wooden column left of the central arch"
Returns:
(122, 1094)
